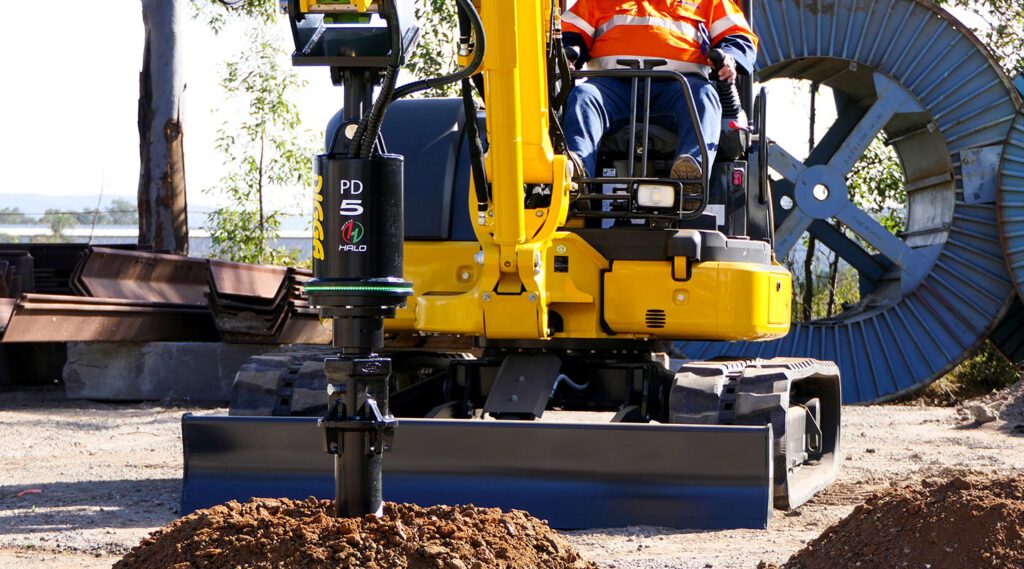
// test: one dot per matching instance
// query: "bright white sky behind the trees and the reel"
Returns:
(68, 119)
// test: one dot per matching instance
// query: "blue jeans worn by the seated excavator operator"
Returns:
(599, 104)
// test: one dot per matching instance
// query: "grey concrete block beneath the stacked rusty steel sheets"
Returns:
(157, 371)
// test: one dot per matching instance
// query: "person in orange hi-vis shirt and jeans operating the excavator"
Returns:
(680, 32)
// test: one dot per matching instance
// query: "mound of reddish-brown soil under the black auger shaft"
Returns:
(273, 534)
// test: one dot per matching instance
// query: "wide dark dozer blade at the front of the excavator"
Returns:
(575, 475)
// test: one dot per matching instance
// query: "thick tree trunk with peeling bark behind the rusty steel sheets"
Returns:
(163, 223)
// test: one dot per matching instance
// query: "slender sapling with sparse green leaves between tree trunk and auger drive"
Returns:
(268, 152)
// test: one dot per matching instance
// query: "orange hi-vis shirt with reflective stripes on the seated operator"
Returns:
(668, 30)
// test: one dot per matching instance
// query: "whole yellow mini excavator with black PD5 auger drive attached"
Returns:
(493, 297)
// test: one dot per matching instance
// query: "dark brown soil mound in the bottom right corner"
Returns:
(959, 523)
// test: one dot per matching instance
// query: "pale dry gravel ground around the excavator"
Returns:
(108, 475)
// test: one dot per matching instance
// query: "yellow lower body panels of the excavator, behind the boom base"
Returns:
(589, 297)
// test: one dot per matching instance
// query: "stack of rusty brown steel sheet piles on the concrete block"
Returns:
(75, 293)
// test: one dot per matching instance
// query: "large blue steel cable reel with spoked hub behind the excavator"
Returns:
(929, 296)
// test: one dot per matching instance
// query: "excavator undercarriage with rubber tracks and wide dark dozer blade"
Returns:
(715, 446)
